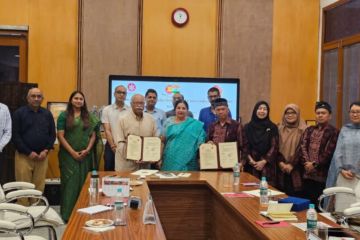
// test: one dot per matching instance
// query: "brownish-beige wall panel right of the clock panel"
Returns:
(246, 44)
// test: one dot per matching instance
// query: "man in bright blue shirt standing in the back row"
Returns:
(207, 115)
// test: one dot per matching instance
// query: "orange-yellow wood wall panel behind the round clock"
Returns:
(189, 51)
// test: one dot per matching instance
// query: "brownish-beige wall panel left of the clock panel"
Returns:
(109, 45)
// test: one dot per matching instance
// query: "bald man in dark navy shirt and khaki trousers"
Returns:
(33, 136)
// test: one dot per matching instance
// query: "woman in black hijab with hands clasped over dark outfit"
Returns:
(263, 138)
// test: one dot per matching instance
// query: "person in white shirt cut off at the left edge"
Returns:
(5, 126)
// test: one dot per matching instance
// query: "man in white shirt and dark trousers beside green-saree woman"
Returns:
(110, 120)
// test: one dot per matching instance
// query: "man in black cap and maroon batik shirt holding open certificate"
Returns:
(228, 135)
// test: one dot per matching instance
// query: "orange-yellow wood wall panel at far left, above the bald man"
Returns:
(52, 44)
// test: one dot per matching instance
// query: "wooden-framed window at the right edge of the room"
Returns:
(340, 83)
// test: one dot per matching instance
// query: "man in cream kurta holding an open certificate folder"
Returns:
(136, 147)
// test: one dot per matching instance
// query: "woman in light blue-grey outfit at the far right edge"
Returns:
(344, 169)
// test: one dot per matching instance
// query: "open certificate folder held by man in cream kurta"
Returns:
(147, 149)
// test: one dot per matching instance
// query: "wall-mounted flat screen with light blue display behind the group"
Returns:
(193, 89)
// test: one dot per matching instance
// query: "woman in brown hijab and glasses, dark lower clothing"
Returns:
(290, 132)
